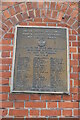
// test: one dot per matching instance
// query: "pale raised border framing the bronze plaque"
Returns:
(13, 62)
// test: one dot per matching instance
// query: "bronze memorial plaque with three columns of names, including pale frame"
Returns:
(40, 60)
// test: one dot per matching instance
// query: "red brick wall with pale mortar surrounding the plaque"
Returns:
(64, 14)
